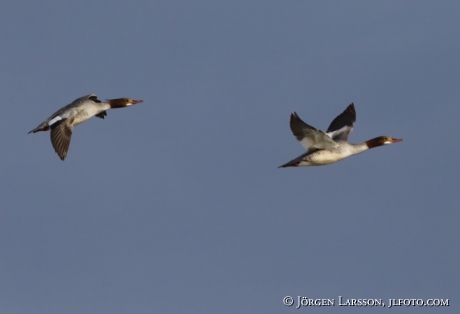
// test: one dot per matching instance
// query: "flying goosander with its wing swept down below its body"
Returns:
(62, 121)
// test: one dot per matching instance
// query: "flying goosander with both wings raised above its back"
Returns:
(325, 148)
